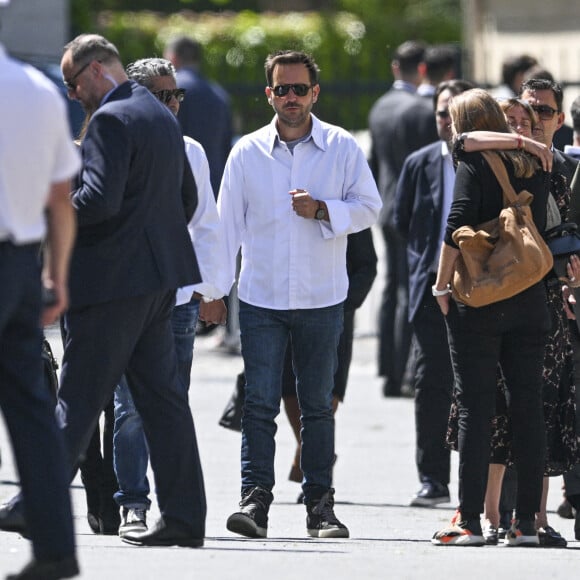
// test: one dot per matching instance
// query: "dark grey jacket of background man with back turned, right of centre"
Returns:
(400, 123)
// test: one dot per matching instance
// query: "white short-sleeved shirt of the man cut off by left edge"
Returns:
(33, 119)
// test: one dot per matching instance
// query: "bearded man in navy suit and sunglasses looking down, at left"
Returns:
(136, 194)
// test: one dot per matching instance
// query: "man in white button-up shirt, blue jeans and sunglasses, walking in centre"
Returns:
(291, 193)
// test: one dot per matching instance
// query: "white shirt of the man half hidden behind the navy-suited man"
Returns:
(204, 231)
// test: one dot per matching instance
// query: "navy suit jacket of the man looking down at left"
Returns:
(135, 197)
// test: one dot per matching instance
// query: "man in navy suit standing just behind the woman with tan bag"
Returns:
(423, 198)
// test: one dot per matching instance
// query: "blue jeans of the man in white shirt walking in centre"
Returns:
(314, 335)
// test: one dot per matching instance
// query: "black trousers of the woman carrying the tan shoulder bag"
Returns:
(513, 333)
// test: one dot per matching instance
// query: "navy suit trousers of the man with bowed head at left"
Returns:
(133, 336)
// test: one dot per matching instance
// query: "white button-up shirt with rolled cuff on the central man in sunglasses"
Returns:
(289, 262)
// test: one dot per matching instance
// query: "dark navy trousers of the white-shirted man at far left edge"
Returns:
(28, 406)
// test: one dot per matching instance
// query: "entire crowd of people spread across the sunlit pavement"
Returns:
(140, 229)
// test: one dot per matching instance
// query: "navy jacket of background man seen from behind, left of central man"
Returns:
(205, 116)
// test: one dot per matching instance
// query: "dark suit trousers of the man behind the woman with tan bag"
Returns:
(433, 388)
